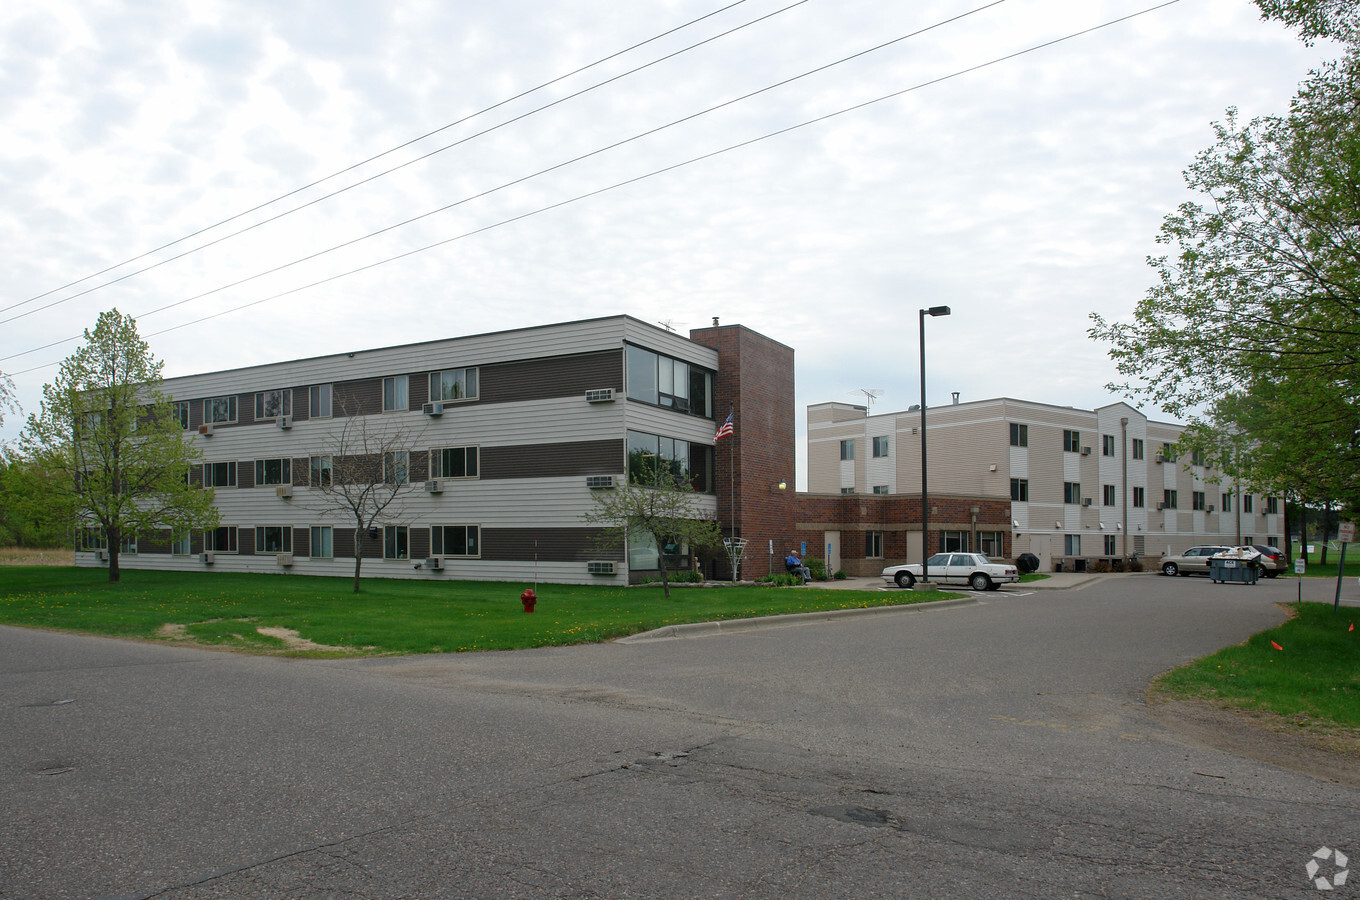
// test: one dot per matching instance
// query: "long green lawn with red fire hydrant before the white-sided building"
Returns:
(390, 617)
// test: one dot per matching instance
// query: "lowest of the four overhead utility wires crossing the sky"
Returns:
(632, 181)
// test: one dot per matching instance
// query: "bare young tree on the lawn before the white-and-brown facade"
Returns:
(364, 472)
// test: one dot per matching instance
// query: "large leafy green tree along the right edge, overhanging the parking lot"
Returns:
(1255, 323)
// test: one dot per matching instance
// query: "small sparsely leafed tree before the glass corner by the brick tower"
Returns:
(662, 508)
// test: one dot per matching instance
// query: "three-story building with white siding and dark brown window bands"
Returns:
(507, 438)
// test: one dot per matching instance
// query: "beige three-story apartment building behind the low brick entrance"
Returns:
(1083, 485)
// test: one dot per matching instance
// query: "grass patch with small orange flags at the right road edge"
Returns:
(1309, 668)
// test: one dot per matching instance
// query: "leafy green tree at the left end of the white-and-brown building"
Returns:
(115, 452)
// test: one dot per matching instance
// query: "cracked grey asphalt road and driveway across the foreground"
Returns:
(996, 750)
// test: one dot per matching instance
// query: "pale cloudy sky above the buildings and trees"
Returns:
(1026, 194)
